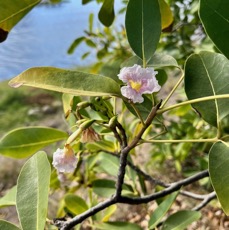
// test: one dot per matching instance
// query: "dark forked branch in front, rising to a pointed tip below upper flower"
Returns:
(118, 198)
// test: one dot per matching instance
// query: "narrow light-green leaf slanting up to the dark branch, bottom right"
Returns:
(161, 210)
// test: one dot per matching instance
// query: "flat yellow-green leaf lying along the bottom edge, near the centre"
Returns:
(117, 226)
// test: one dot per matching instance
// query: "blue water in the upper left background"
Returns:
(43, 37)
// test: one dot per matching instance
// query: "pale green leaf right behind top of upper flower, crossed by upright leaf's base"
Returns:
(156, 61)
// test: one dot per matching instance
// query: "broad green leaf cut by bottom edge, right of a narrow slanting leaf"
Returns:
(180, 220)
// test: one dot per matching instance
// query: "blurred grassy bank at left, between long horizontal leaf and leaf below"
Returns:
(26, 106)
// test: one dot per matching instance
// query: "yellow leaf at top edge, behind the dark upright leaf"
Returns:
(166, 14)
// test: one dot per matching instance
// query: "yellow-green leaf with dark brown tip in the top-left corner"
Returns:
(12, 11)
